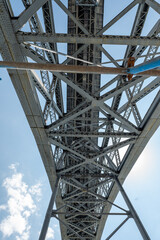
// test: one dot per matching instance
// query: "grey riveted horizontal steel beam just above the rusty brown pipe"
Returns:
(88, 39)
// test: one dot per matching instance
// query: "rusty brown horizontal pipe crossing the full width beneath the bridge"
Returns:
(73, 69)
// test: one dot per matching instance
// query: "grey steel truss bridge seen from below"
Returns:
(90, 128)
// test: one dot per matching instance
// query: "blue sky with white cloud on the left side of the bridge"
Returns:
(20, 163)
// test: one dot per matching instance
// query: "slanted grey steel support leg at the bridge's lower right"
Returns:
(133, 212)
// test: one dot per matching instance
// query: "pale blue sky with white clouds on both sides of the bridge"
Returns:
(23, 177)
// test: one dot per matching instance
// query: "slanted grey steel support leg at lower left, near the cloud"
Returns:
(49, 212)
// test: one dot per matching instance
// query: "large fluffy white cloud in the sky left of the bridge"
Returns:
(20, 205)
